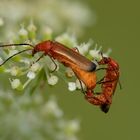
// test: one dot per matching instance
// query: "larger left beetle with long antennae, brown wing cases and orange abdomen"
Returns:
(69, 57)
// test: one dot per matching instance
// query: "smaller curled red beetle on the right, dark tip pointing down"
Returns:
(108, 85)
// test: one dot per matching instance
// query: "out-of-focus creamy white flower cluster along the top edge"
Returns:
(59, 15)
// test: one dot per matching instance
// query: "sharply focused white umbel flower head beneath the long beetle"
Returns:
(23, 70)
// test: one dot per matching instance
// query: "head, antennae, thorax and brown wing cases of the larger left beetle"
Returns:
(58, 51)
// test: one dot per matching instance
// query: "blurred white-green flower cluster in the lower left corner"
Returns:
(34, 119)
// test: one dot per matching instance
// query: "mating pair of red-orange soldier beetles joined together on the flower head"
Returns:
(84, 69)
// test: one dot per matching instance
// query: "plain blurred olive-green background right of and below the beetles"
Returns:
(117, 27)
